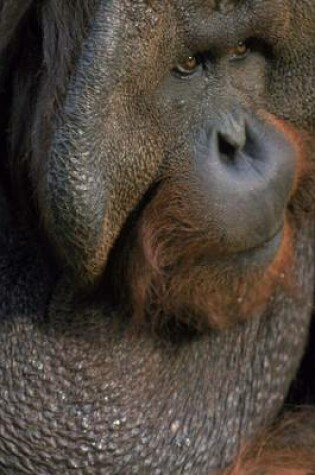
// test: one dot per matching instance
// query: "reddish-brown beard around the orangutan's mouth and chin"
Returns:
(166, 268)
